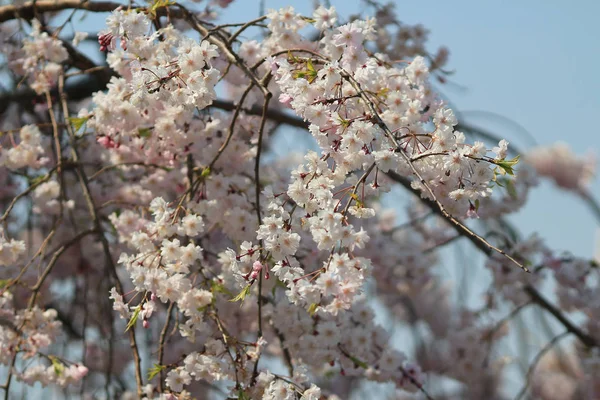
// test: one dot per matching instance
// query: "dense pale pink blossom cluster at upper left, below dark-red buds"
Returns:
(164, 77)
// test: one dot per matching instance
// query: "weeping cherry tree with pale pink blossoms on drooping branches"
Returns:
(156, 243)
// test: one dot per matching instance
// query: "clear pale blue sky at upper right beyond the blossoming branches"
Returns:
(526, 70)
